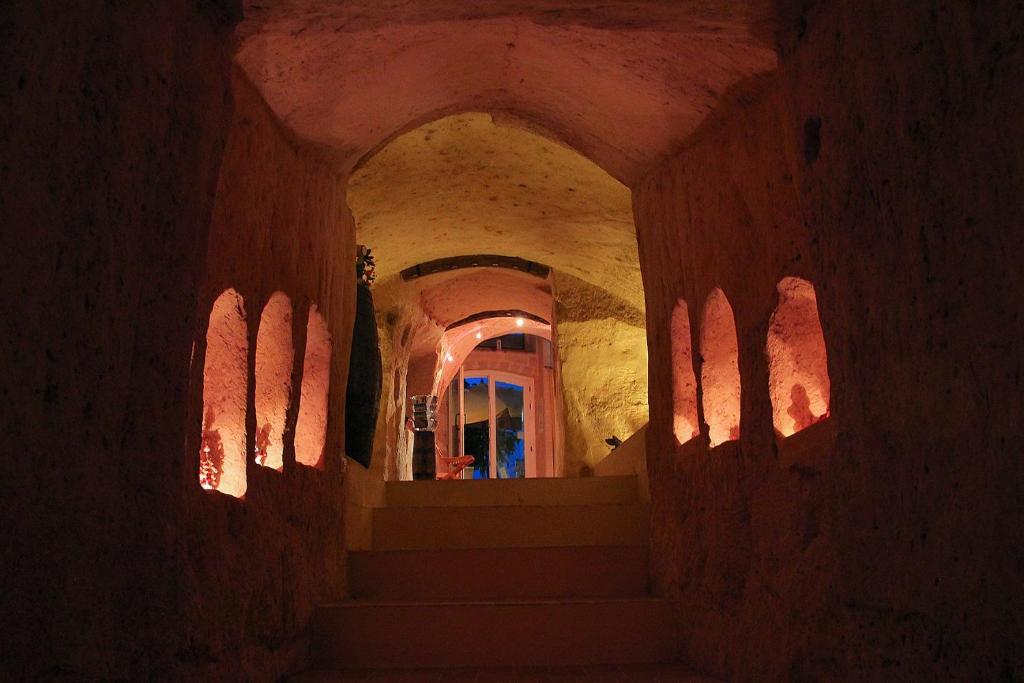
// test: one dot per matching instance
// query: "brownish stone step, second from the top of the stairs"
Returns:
(509, 527)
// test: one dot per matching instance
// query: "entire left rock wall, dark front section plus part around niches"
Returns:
(112, 137)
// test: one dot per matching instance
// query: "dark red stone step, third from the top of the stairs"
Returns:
(481, 574)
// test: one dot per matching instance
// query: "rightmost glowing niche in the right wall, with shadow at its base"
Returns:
(798, 366)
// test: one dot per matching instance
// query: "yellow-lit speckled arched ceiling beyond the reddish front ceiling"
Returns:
(465, 186)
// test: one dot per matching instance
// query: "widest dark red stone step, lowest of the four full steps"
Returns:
(372, 635)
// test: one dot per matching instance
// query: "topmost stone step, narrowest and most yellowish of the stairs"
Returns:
(589, 491)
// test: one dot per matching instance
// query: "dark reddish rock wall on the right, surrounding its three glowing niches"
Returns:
(880, 165)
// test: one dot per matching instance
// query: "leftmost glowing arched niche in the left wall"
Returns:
(223, 461)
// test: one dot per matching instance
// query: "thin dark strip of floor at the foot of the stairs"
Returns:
(608, 674)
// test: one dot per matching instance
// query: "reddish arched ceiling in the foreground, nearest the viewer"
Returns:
(624, 82)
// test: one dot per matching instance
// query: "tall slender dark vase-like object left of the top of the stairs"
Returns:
(364, 393)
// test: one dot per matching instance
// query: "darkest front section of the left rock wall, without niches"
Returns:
(111, 136)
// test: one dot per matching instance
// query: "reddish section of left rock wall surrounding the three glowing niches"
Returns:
(253, 570)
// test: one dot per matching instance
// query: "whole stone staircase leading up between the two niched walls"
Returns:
(535, 573)
